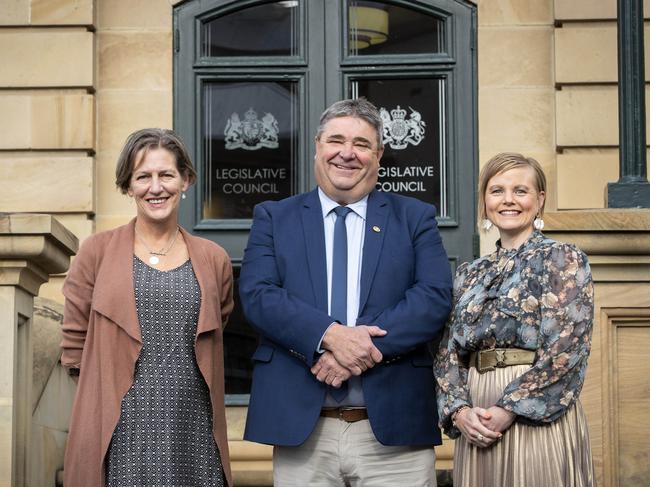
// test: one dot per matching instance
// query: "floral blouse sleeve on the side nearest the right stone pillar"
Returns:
(544, 392)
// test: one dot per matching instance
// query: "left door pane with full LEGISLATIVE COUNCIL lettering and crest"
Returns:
(249, 144)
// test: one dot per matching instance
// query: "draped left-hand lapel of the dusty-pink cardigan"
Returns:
(114, 295)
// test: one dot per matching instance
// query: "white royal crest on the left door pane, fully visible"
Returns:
(251, 133)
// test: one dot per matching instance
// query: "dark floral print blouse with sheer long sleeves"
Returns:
(537, 297)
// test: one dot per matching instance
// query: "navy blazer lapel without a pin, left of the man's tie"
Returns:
(312, 224)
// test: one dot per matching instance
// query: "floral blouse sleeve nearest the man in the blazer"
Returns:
(449, 369)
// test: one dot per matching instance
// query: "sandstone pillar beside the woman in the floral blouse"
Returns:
(616, 393)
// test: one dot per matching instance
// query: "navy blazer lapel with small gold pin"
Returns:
(376, 227)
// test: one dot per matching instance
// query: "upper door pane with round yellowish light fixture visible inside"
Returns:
(379, 28)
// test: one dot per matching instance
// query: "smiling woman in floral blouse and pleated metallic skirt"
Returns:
(512, 362)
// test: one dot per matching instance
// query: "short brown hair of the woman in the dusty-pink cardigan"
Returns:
(142, 141)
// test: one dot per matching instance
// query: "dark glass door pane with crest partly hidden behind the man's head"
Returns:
(413, 112)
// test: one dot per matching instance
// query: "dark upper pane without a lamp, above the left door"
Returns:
(264, 30)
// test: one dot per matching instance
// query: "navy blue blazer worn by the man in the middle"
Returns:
(406, 289)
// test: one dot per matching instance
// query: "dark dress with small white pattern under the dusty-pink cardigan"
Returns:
(164, 435)
